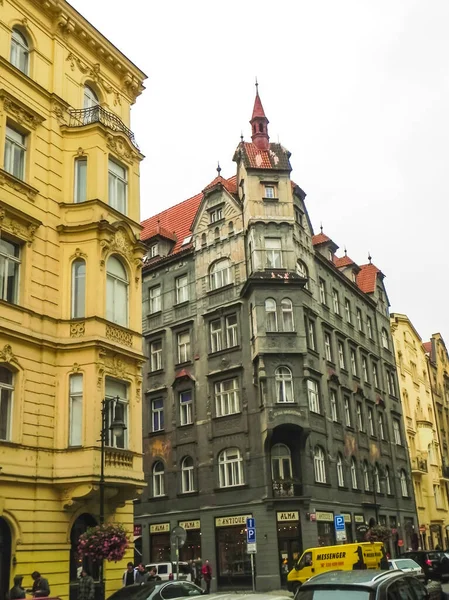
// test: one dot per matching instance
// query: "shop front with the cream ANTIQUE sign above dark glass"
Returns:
(233, 562)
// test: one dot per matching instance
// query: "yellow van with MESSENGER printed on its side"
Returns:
(346, 557)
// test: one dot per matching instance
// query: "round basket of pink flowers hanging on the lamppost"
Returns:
(103, 542)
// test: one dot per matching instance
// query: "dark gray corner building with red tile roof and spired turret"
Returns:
(270, 386)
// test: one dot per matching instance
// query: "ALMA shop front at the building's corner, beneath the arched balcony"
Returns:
(289, 541)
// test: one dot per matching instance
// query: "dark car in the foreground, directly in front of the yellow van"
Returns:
(362, 585)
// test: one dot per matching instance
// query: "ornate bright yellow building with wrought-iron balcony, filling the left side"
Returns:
(70, 271)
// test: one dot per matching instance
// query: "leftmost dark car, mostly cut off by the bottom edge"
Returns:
(157, 590)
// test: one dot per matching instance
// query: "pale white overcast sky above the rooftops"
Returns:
(357, 90)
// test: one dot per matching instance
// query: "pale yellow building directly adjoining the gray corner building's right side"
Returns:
(422, 433)
